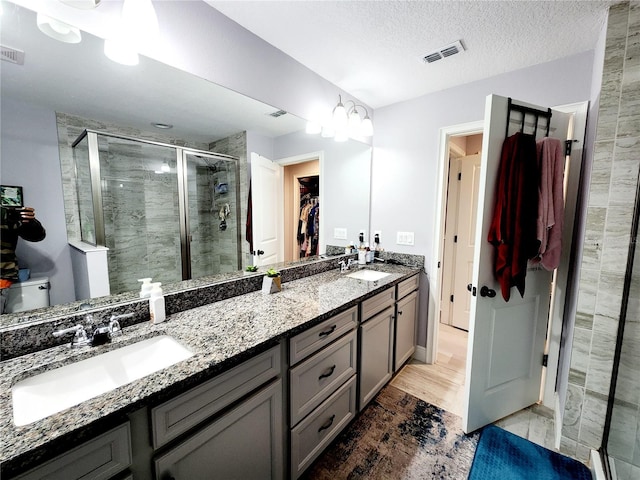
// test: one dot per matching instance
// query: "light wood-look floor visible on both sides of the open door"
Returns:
(442, 385)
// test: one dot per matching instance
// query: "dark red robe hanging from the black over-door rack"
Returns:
(513, 225)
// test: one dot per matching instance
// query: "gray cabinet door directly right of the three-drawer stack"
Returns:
(376, 358)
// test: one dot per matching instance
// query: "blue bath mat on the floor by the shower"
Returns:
(503, 455)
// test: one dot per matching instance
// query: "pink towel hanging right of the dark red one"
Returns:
(551, 159)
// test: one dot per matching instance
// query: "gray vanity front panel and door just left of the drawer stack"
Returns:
(245, 441)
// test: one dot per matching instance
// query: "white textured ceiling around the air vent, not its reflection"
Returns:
(374, 49)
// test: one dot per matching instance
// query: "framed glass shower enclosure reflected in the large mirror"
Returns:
(163, 211)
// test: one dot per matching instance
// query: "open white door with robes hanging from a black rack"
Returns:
(506, 339)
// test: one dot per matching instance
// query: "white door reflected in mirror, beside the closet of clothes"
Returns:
(267, 209)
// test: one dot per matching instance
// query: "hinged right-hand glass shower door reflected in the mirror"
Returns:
(211, 184)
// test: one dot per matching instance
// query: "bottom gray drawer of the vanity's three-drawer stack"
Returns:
(315, 432)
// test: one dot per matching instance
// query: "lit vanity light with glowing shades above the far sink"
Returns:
(344, 121)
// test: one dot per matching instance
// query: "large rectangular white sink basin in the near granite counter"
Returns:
(51, 392)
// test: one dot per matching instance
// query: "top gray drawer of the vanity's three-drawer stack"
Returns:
(313, 339)
